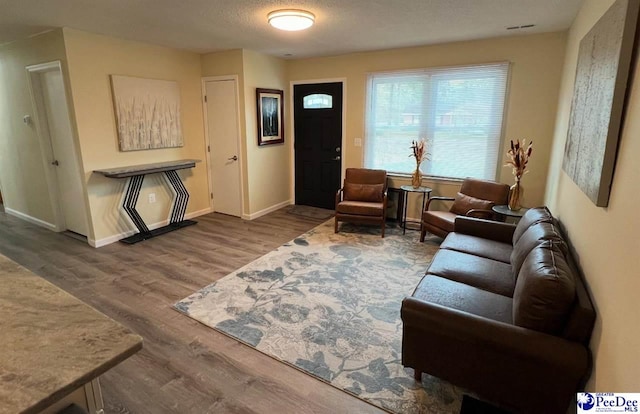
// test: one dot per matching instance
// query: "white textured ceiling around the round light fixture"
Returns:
(342, 26)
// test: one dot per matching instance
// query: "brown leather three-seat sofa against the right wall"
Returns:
(503, 313)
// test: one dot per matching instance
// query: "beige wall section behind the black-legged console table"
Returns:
(92, 58)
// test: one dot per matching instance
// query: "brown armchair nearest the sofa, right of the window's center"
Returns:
(475, 199)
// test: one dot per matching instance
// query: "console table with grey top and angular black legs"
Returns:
(136, 174)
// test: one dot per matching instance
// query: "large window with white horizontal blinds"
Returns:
(457, 110)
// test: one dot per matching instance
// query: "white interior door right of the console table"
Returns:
(223, 134)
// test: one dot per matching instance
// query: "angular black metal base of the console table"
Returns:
(176, 221)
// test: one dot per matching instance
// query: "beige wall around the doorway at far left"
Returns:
(22, 163)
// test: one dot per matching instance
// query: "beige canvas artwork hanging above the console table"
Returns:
(147, 113)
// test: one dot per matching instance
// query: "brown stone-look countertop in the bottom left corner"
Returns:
(52, 343)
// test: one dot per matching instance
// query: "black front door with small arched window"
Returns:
(317, 114)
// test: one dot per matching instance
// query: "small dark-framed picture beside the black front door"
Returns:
(270, 116)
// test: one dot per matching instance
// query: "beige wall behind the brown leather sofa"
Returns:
(606, 239)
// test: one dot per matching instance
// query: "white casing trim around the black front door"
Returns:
(292, 152)
